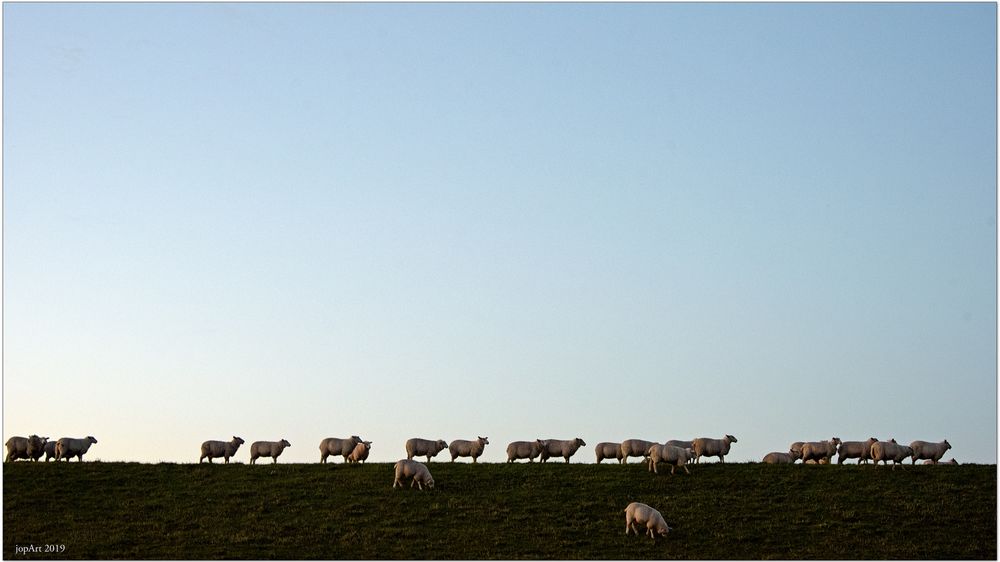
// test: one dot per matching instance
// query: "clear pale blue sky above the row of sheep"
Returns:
(518, 221)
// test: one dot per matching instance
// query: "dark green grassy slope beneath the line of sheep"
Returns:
(575, 511)
